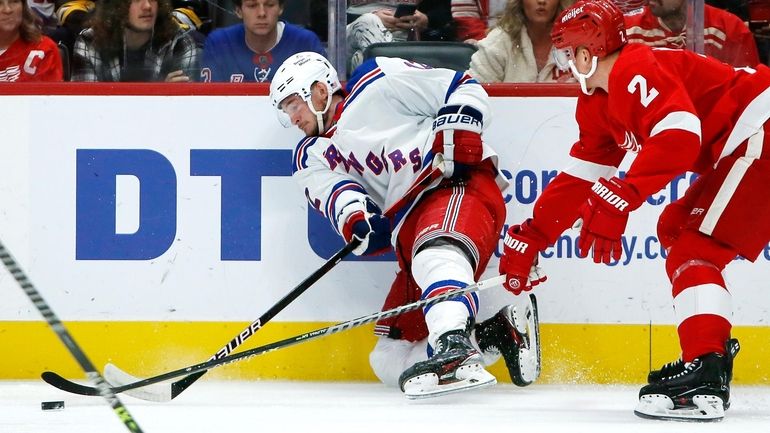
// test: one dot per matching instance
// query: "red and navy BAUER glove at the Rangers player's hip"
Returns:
(457, 135)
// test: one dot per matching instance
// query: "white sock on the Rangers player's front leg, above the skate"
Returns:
(443, 263)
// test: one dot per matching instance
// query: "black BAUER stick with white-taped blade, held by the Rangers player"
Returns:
(166, 392)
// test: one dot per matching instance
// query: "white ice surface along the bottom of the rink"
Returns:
(275, 407)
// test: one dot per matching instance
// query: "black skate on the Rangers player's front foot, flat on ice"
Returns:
(455, 366)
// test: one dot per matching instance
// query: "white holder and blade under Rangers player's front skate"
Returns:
(471, 376)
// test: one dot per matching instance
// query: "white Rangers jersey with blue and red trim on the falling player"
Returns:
(381, 141)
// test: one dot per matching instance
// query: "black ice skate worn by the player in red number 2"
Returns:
(697, 391)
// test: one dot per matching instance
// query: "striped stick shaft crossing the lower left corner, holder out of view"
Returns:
(101, 388)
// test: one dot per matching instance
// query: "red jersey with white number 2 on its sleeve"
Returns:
(677, 110)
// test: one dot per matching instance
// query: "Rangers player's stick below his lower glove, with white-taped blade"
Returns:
(167, 392)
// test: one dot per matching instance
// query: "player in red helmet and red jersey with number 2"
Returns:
(677, 111)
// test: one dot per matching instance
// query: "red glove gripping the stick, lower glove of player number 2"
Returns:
(519, 261)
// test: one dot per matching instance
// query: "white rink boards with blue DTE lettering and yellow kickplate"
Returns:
(158, 221)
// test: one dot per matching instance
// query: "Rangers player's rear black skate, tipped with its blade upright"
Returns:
(514, 332)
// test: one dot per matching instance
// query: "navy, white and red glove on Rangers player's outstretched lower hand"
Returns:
(364, 221)
